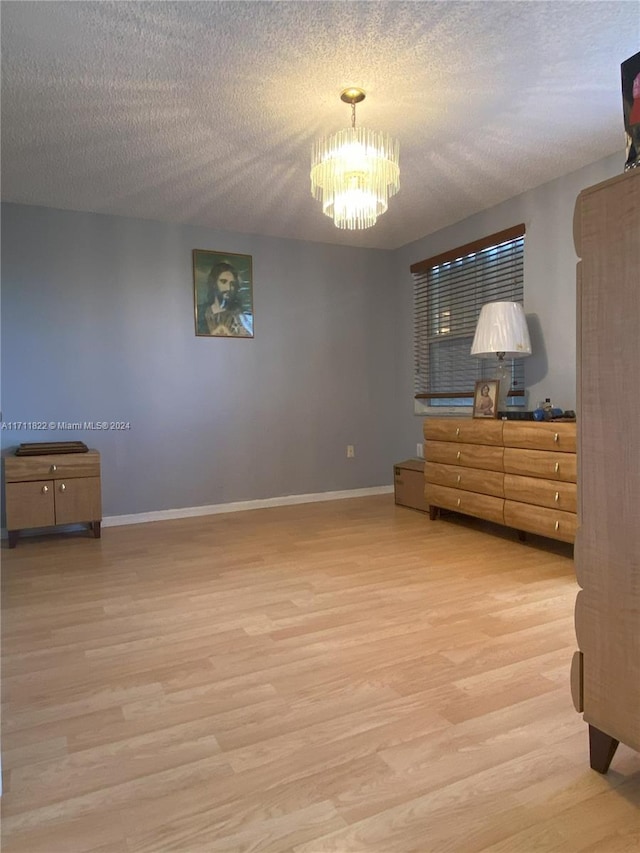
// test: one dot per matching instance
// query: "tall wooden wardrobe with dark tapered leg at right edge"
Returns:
(605, 678)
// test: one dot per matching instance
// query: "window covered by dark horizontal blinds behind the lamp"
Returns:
(449, 291)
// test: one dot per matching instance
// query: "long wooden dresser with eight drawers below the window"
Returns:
(518, 473)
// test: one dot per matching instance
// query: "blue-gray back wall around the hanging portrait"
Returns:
(98, 324)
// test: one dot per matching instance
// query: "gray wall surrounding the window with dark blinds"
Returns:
(549, 283)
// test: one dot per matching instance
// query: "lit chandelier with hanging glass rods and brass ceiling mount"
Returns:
(355, 171)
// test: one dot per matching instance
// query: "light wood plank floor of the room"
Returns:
(344, 676)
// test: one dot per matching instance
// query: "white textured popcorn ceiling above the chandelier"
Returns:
(205, 112)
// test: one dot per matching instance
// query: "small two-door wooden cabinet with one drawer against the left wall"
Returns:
(41, 491)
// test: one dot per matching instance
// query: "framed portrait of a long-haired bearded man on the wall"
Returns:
(223, 294)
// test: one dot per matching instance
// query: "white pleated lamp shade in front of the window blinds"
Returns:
(502, 328)
